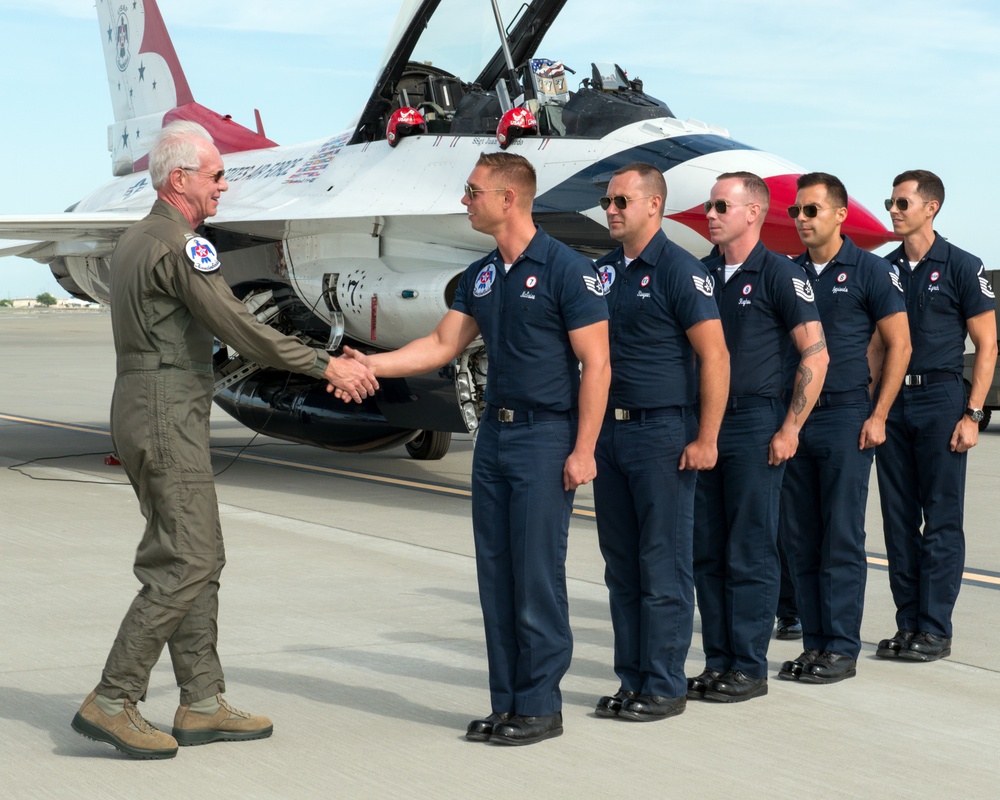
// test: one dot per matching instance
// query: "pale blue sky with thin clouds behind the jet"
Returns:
(858, 88)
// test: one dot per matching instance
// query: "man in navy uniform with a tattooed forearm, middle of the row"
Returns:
(766, 306)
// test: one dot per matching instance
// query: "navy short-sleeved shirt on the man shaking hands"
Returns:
(525, 316)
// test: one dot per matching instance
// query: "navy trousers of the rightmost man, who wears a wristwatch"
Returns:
(921, 480)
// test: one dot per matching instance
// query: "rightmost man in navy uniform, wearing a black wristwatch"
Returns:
(932, 425)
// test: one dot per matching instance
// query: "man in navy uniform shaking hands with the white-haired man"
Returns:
(541, 311)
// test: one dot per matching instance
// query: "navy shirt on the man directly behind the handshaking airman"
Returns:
(652, 303)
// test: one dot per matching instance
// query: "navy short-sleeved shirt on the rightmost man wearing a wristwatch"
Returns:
(947, 287)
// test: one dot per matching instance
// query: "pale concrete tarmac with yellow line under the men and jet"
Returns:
(349, 615)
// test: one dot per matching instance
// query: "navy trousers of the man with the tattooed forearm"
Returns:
(736, 567)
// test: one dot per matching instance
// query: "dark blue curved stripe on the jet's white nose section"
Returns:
(580, 191)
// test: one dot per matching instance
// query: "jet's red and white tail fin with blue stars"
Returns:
(149, 88)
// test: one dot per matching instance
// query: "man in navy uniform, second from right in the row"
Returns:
(825, 492)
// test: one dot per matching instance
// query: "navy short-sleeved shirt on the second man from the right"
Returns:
(855, 290)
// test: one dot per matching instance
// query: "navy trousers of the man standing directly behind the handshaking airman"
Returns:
(645, 524)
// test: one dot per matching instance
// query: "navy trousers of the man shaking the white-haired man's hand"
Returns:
(520, 522)
